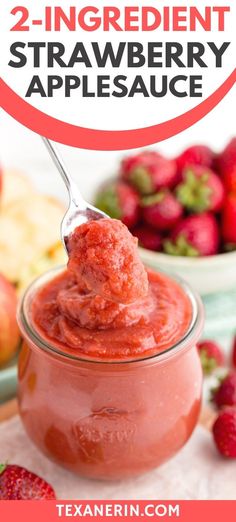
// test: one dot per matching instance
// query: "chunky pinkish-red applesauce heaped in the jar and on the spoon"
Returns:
(106, 305)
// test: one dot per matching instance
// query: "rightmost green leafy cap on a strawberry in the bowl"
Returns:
(194, 194)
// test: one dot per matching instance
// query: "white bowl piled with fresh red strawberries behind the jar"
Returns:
(182, 210)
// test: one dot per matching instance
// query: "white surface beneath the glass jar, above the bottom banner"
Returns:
(195, 473)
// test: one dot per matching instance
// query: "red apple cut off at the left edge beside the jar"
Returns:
(9, 331)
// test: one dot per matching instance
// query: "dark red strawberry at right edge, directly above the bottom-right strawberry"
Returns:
(225, 393)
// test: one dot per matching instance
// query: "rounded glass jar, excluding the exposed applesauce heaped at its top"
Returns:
(108, 420)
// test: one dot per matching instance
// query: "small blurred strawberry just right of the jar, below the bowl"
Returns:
(211, 355)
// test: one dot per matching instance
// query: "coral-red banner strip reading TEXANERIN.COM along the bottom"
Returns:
(51, 511)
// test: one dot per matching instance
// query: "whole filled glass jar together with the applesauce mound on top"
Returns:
(109, 375)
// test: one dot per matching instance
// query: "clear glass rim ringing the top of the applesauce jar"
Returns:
(193, 331)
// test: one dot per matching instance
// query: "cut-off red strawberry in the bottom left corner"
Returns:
(17, 483)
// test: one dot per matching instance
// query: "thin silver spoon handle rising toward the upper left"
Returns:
(74, 193)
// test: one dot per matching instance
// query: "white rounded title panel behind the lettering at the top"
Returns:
(114, 113)
